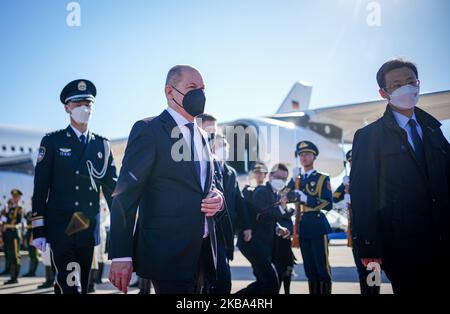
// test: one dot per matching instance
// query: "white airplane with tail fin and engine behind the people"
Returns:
(270, 138)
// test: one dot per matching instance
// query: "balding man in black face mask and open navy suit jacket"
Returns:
(174, 243)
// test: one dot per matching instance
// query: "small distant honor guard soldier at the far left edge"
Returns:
(11, 235)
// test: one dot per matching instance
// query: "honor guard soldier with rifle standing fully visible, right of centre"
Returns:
(313, 192)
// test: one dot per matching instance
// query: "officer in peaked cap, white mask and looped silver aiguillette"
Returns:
(74, 165)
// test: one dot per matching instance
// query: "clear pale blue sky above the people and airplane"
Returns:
(249, 51)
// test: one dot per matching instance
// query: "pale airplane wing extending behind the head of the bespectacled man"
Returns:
(355, 116)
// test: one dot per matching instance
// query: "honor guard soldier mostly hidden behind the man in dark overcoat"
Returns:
(343, 193)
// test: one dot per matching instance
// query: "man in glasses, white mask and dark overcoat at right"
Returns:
(399, 184)
